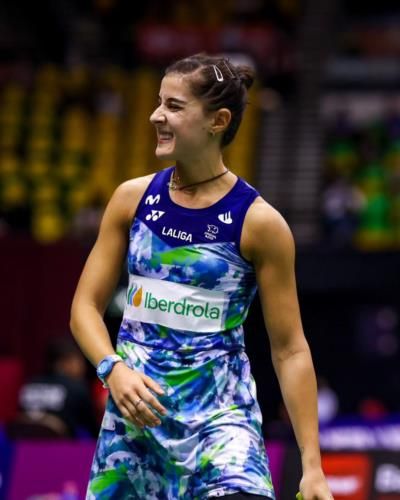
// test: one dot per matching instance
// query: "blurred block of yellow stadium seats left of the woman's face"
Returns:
(63, 147)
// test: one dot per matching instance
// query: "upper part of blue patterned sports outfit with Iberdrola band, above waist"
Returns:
(186, 273)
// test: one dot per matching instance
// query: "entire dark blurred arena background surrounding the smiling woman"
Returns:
(320, 141)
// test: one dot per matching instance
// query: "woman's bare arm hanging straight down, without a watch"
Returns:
(267, 241)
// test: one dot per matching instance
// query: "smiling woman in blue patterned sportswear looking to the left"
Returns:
(183, 421)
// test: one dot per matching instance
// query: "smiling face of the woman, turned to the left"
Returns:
(181, 124)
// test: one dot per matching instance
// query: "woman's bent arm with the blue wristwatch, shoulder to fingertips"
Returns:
(96, 285)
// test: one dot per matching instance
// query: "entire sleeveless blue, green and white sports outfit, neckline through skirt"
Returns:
(188, 295)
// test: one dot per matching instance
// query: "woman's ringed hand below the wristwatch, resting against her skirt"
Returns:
(131, 394)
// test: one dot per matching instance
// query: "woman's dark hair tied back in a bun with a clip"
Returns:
(219, 84)
